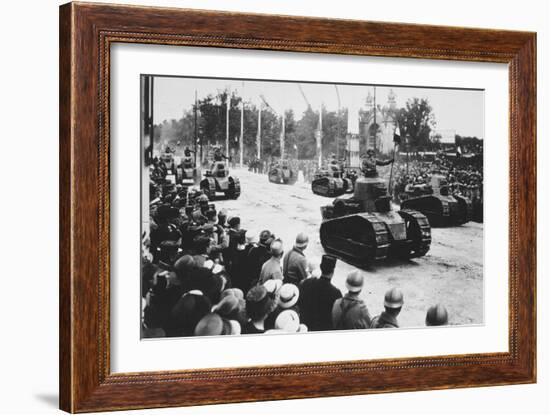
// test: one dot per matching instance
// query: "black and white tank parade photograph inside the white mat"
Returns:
(290, 206)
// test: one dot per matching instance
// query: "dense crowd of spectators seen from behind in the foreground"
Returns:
(204, 275)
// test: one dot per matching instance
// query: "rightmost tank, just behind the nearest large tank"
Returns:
(440, 206)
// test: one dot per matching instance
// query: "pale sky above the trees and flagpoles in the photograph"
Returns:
(454, 109)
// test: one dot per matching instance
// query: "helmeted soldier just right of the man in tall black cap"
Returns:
(350, 312)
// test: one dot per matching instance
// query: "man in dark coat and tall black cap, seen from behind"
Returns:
(317, 297)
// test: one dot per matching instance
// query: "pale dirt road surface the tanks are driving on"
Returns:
(451, 273)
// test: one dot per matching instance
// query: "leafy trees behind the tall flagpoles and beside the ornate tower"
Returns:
(415, 120)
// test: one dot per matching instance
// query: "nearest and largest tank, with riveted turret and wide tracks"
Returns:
(363, 228)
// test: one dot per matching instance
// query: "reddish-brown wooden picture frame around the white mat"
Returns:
(86, 33)
